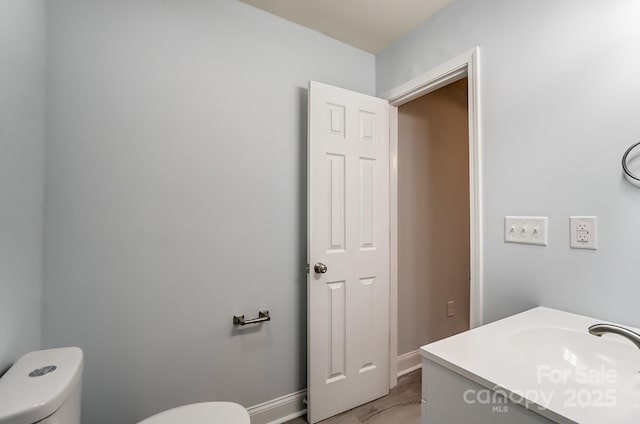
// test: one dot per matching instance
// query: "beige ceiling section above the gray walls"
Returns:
(370, 25)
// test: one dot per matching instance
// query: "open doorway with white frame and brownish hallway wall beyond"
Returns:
(435, 270)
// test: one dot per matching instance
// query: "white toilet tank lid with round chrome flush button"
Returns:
(33, 389)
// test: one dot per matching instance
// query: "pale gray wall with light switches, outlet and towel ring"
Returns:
(560, 102)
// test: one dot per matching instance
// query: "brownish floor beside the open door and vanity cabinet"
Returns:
(400, 406)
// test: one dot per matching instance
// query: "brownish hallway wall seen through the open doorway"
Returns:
(433, 216)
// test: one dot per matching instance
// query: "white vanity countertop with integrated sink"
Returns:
(549, 362)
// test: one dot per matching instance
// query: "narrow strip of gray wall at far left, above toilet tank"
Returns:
(21, 161)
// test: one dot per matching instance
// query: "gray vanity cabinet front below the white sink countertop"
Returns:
(448, 397)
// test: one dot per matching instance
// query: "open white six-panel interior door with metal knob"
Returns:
(348, 233)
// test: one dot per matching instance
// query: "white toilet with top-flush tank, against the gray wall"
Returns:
(44, 387)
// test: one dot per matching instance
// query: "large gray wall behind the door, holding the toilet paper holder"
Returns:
(175, 198)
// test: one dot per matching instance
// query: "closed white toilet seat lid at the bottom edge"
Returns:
(202, 413)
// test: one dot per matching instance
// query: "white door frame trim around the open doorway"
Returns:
(465, 65)
